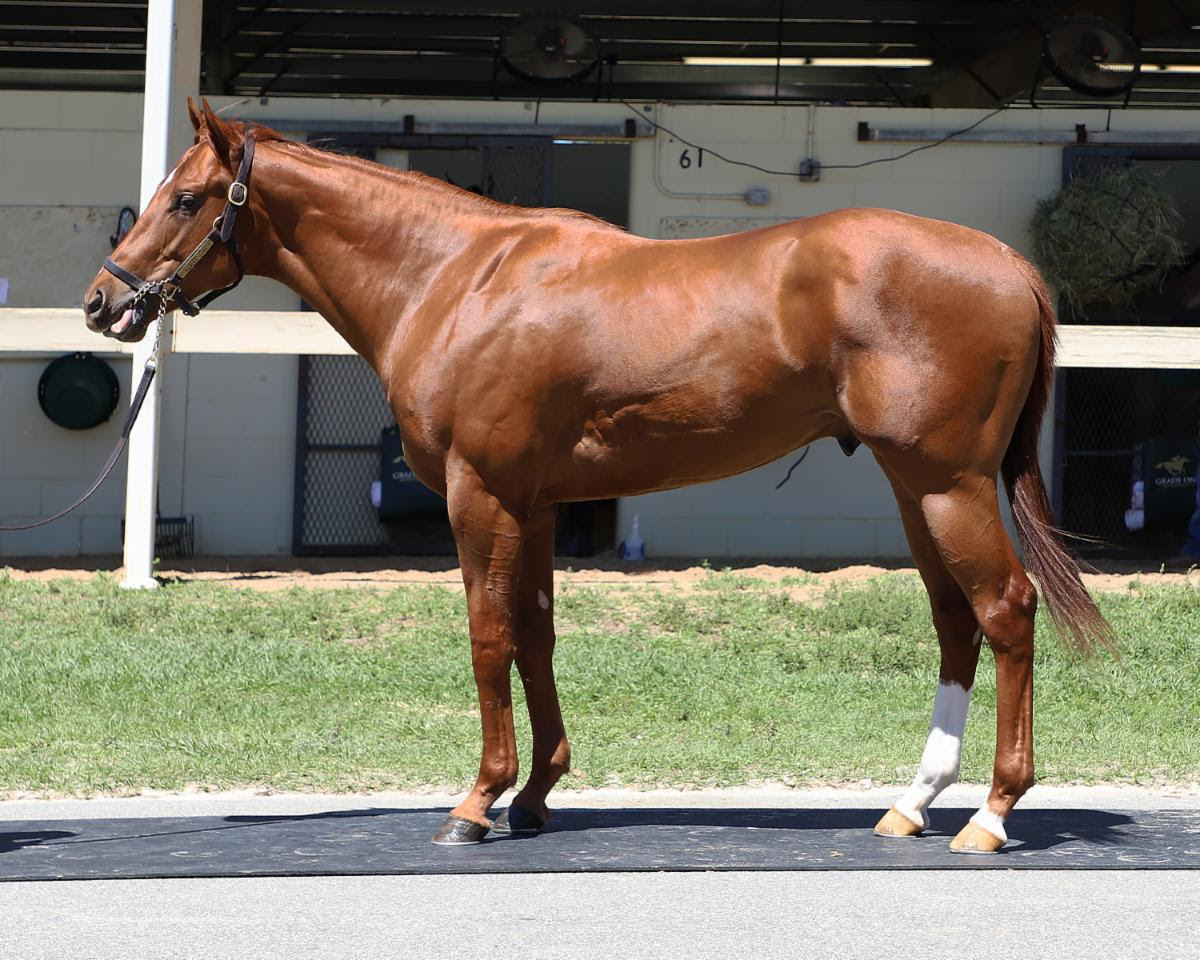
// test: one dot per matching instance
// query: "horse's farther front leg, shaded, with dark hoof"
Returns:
(535, 656)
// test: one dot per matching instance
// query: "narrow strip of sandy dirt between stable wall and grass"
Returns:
(284, 573)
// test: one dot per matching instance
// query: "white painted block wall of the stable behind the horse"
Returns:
(230, 422)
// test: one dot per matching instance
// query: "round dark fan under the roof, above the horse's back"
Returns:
(550, 47)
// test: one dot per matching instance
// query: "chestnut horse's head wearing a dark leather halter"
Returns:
(165, 256)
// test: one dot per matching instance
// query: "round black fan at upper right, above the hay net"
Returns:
(1093, 57)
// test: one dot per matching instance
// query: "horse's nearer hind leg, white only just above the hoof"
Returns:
(964, 523)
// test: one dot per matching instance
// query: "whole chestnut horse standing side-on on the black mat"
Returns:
(535, 357)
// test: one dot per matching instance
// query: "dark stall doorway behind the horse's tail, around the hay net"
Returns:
(1117, 428)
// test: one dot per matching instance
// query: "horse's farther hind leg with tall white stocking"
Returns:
(958, 635)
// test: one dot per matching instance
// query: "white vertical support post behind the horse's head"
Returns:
(173, 57)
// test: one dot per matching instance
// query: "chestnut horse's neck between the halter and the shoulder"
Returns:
(358, 245)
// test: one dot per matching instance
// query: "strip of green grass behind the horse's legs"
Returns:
(104, 689)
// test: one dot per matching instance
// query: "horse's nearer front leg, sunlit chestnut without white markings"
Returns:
(490, 542)
